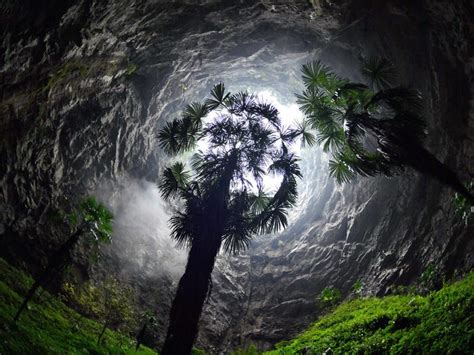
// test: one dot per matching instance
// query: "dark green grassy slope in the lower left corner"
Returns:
(49, 326)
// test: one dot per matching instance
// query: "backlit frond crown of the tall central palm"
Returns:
(245, 141)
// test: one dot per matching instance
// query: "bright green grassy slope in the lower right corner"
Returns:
(440, 323)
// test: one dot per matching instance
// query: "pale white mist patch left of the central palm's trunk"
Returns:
(141, 238)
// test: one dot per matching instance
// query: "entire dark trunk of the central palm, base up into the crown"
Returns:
(194, 284)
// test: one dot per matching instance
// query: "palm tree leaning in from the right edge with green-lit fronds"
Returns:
(370, 130)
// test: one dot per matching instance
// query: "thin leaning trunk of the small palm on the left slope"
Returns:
(55, 263)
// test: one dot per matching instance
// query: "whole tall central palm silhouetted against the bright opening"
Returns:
(223, 197)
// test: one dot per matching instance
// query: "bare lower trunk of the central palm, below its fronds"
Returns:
(190, 296)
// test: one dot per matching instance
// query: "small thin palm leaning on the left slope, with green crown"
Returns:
(90, 219)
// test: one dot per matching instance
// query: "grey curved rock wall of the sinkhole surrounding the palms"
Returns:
(86, 85)
